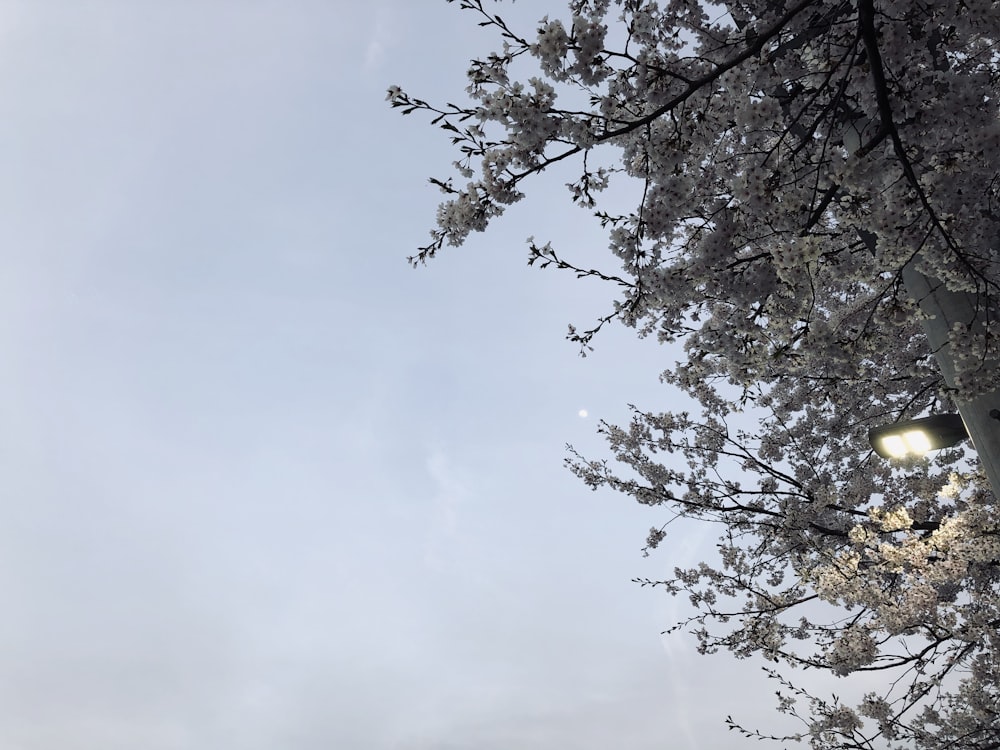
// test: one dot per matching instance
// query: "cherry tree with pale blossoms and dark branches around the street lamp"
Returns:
(796, 158)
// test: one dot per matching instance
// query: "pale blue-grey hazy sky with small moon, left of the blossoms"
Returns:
(263, 485)
